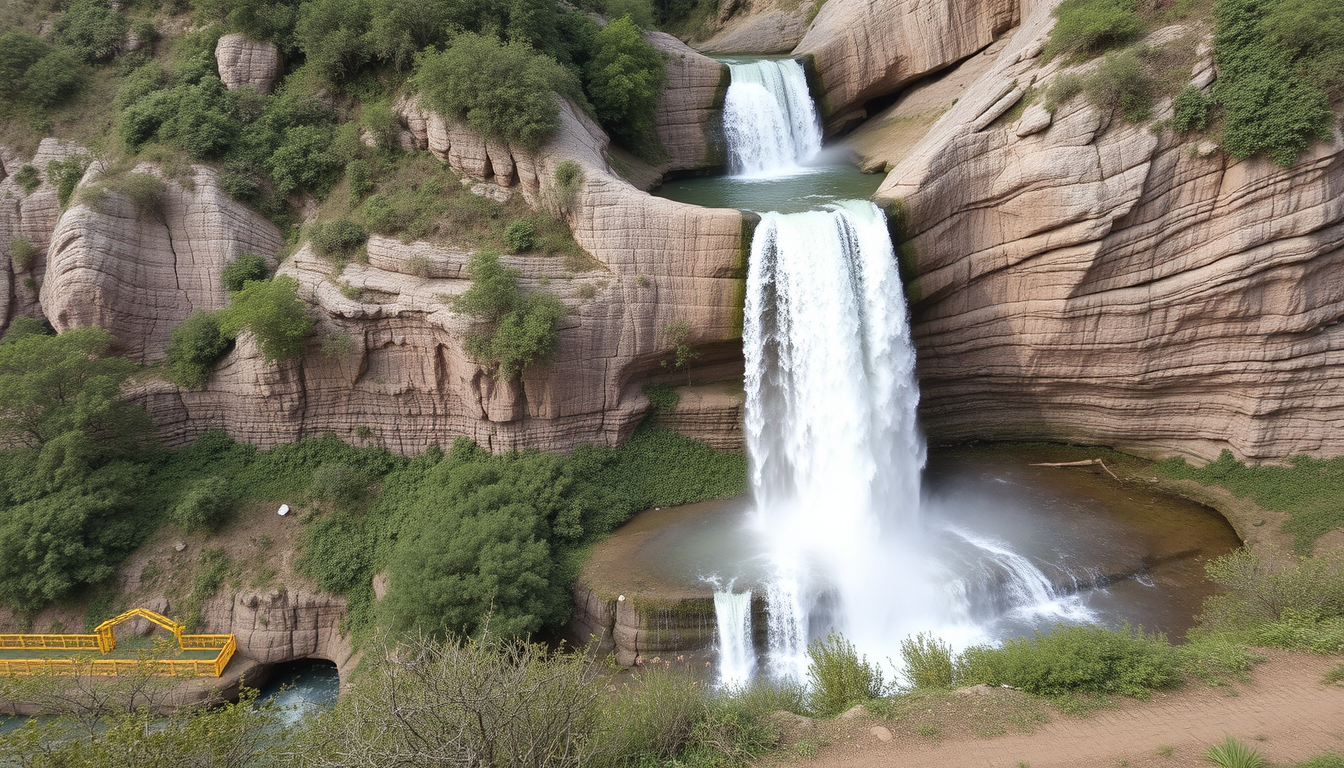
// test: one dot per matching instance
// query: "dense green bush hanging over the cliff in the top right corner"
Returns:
(1268, 106)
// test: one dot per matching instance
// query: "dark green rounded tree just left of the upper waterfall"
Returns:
(624, 81)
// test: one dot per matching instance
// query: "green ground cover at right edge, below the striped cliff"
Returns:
(1307, 489)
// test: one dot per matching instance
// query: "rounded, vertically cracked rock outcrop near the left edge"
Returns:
(139, 272)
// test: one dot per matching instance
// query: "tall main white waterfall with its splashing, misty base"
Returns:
(837, 455)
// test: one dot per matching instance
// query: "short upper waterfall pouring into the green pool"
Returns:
(769, 120)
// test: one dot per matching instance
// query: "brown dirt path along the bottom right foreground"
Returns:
(1286, 712)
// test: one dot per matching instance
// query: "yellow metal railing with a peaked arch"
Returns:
(106, 642)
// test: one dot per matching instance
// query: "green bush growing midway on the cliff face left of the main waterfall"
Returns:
(514, 332)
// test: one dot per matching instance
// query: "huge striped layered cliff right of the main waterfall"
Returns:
(1085, 280)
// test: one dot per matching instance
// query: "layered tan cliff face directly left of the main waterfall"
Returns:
(389, 367)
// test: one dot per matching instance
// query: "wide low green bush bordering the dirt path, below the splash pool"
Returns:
(1079, 660)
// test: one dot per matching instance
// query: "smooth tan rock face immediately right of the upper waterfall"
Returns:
(864, 49)
